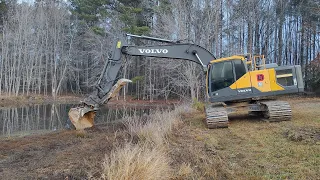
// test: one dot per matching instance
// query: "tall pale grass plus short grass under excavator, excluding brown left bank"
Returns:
(249, 149)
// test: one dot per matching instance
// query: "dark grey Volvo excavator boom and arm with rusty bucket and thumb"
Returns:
(108, 84)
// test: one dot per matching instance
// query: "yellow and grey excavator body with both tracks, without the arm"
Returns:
(250, 80)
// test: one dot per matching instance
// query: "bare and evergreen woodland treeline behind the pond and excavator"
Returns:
(55, 47)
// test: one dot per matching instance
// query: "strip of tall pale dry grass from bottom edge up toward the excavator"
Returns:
(148, 158)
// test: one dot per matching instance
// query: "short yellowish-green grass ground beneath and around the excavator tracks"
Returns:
(254, 149)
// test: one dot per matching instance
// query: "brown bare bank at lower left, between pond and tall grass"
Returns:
(60, 155)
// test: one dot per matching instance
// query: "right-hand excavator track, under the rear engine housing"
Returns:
(277, 111)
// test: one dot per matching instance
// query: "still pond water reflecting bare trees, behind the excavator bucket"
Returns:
(22, 121)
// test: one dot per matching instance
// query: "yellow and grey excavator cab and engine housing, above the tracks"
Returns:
(240, 78)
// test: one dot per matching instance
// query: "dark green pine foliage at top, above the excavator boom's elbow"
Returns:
(93, 12)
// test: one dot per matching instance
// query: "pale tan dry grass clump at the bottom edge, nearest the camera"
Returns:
(136, 162)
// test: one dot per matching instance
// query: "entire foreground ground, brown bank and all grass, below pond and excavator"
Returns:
(173, 145)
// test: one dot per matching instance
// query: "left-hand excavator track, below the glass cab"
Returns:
(216, 117)
